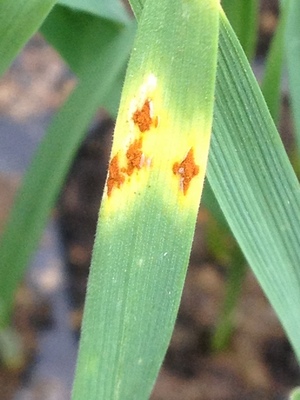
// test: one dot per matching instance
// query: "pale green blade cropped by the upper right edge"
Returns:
(292, 42)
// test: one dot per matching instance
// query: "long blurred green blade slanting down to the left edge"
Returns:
(51, 164)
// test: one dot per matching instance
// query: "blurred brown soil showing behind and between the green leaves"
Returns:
(258, 362)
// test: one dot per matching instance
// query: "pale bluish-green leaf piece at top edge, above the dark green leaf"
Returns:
(110, 9)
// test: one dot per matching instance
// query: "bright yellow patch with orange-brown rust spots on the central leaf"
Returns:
(153, 147)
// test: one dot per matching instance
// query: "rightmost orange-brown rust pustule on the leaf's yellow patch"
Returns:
(187, 169)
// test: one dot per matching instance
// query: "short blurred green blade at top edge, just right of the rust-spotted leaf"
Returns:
(243, 17)
